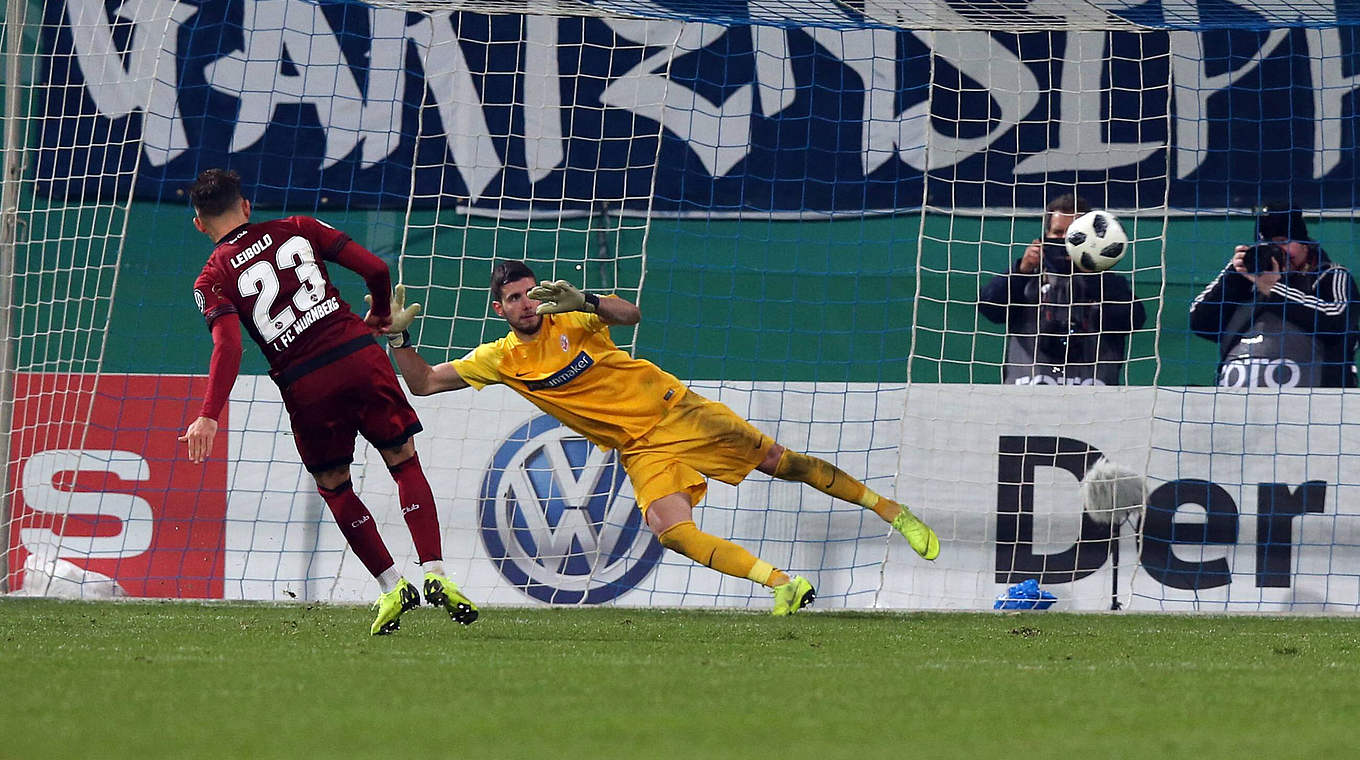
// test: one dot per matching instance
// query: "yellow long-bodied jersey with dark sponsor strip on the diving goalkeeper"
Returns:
(575, 372)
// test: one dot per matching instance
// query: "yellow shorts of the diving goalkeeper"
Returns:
(694, 441)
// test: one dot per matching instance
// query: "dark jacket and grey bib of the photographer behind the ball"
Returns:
(1061, 327)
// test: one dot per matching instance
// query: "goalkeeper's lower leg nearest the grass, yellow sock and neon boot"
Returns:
(673, 520)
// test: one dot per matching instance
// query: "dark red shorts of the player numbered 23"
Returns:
(356, 395)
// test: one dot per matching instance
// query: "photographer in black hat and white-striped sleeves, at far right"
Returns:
(1280, 312)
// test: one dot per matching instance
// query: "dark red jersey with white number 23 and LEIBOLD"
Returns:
(274, 275)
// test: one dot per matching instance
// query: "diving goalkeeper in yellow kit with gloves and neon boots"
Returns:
(560, 357)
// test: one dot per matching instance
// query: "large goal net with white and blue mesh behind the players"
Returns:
(823, 210)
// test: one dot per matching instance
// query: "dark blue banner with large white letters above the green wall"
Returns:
(345, 105)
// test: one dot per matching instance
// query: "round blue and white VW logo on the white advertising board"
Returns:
(560, 520)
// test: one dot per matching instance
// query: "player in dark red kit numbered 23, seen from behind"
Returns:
(337, 383)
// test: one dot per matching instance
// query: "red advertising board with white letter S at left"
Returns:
(99, 479)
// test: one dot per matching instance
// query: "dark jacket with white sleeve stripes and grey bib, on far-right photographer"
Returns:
(1302, 334)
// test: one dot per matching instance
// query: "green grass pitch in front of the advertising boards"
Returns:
(146, 680)
